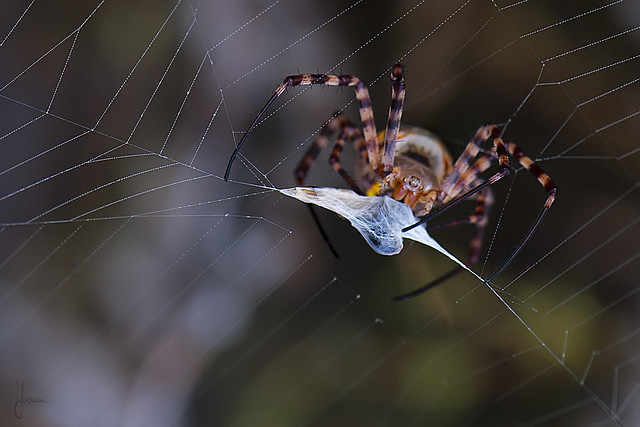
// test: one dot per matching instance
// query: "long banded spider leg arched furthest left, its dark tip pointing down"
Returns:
(362, 94)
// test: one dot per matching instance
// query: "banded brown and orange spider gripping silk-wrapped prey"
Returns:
(410, 164)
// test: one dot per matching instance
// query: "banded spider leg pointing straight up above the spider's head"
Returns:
(395, 115)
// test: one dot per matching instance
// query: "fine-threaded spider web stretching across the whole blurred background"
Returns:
(139, 288)
